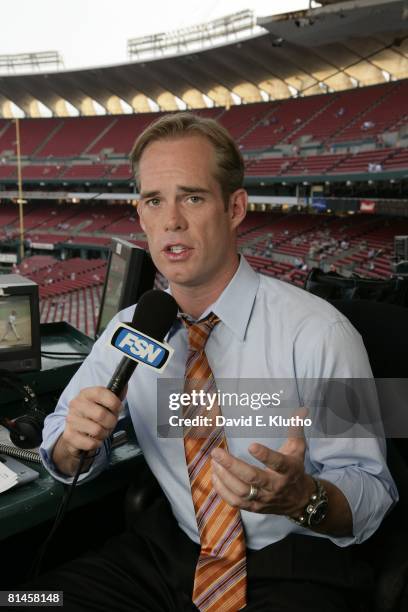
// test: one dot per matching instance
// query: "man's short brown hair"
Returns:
(230, 164)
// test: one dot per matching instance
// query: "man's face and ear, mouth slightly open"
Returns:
(190, 233)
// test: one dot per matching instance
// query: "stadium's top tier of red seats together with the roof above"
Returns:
(333, 78)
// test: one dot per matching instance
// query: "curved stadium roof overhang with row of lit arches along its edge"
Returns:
(337, 46)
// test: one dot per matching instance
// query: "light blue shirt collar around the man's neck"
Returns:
(234, 305)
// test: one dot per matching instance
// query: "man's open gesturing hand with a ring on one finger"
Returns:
(282, 485)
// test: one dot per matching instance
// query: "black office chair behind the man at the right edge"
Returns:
(384, 329)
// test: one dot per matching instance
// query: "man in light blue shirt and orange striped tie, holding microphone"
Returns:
(253, 555)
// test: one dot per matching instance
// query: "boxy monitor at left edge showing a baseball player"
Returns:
(20, 345)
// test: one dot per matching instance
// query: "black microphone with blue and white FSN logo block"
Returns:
(140, 341)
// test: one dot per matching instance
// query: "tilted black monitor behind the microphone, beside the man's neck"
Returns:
(131, 272)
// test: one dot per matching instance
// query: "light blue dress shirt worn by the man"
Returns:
(268, 329)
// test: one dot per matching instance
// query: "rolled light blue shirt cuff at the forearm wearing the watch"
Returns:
(369, 498)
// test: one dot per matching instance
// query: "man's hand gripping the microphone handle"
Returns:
(92, 416)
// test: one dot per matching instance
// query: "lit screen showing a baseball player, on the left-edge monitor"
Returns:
(15, 323)
